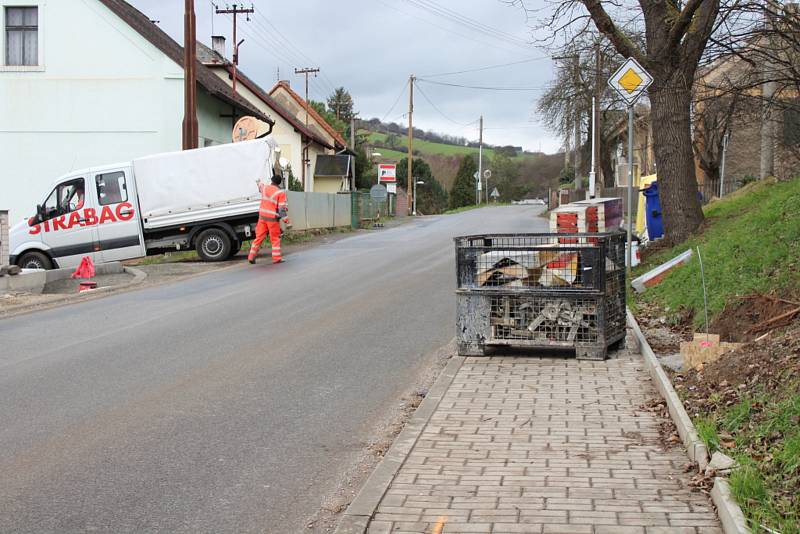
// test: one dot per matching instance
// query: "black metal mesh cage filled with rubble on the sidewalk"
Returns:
(535, 290)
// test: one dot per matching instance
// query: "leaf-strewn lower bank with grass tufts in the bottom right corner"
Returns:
(747, 405)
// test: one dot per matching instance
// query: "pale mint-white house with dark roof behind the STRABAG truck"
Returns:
(90, 82)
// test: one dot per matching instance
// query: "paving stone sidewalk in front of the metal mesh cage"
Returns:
(545, 445)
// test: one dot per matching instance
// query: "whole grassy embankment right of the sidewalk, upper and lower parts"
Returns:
(747, 404)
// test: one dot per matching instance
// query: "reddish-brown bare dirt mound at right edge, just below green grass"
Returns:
(747, 318)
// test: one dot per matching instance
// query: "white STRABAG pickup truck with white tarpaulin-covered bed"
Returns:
(204, 199)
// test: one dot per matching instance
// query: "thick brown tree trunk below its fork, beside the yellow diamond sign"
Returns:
(677, 183)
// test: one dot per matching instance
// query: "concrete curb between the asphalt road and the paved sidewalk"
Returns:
(356, 518)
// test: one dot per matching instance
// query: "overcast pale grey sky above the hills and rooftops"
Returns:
(372, 46)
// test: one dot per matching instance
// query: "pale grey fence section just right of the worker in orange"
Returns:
(319, 210)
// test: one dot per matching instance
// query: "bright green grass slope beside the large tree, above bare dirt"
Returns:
(750, 243)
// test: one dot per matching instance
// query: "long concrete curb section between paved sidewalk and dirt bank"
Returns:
(695, 448)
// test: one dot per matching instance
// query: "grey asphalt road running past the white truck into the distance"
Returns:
(230, 402)
